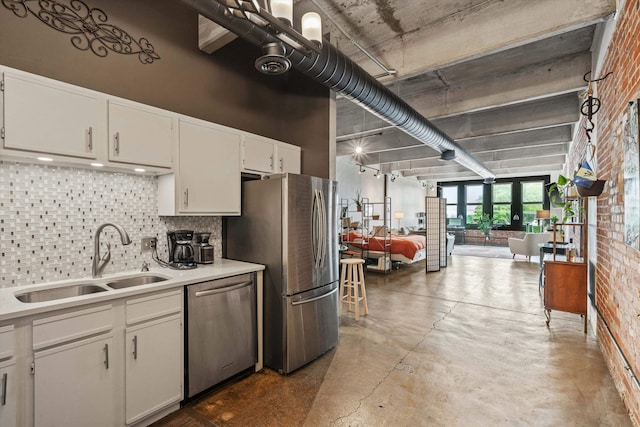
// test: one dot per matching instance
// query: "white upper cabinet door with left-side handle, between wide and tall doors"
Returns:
(139, 135)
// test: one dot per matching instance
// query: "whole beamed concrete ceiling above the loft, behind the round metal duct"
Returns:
(502, 78)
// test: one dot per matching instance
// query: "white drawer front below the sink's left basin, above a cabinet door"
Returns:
(71, 326)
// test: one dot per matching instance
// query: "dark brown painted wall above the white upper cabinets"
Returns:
(224, 87)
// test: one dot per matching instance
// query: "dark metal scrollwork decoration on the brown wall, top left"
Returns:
(88, 26)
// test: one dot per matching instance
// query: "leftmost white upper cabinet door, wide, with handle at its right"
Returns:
(48, 117)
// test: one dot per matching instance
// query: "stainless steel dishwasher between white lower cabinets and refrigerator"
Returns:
(221, 330)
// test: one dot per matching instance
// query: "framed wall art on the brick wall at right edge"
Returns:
(630, 140)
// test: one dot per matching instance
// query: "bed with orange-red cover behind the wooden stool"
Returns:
(404, 249)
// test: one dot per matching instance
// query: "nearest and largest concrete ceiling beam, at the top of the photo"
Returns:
(503, 25)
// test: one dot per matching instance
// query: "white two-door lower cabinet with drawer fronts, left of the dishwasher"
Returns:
(110, 365)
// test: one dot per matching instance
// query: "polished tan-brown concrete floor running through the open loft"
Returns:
(466, 346)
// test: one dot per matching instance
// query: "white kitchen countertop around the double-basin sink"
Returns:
(12, 308)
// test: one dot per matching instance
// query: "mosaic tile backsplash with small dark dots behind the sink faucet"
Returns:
(49, 214)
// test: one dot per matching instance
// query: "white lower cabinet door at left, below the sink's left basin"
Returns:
(74, 384)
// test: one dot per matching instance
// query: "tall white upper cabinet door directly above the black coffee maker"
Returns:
(209, 170)
